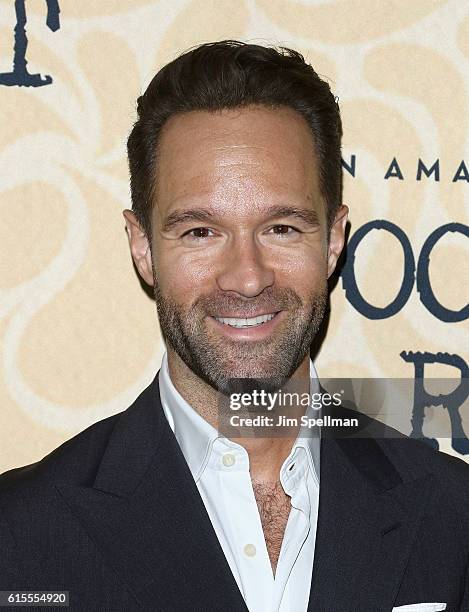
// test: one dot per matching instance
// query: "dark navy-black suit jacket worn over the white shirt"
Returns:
(114, 517)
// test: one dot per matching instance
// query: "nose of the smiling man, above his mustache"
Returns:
(244, 269)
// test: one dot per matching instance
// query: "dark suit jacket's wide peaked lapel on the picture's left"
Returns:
(146, 516)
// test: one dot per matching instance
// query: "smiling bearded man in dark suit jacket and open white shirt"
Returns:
(237, 223)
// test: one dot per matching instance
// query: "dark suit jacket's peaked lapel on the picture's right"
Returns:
(367, 522)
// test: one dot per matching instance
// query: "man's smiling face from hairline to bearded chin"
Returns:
(240, 249)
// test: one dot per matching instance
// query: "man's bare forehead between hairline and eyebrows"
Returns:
(237, 154)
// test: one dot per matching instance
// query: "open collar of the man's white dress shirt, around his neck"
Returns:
(196, 436)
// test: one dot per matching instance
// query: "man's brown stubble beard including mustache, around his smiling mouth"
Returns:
(225, 364)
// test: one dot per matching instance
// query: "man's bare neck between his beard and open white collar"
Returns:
(266, 455)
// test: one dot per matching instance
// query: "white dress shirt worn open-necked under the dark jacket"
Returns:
(220, 468)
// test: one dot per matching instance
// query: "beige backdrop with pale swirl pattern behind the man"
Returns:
(78, 337)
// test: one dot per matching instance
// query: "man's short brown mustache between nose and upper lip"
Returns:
(270, 300)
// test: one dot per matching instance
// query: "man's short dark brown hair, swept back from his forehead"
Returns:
(231, 74)
